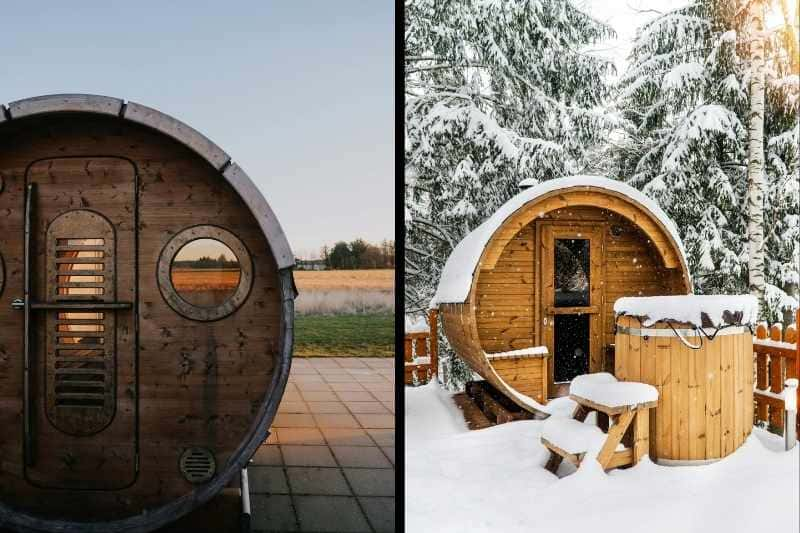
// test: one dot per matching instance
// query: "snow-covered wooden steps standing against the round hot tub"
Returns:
(625, 404)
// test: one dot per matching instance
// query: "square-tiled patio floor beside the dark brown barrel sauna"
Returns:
(329, 463)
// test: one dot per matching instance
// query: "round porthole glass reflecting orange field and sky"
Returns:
(205, 272)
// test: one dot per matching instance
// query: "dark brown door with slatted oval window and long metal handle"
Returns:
(79, 420)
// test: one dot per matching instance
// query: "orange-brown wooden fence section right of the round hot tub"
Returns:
(777, 358)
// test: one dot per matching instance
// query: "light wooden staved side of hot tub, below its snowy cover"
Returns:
(705, 404)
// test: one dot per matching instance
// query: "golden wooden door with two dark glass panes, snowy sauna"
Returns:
(570, 304)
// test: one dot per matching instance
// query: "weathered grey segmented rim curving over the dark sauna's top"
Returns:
(175, 129)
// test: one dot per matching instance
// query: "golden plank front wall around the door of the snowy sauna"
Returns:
(506, 294)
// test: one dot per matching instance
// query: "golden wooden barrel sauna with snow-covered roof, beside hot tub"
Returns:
(544, 271)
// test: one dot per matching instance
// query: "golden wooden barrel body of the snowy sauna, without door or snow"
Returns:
(507, 290)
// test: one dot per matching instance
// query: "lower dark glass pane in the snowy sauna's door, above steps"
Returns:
(571, 347)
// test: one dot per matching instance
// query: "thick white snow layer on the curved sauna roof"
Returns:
(456, 278)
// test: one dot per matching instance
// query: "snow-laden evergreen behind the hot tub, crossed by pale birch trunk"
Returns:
(685, 98)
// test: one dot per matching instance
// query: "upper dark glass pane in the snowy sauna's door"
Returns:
(571, 272)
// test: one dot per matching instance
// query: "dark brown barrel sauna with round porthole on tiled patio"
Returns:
(146, 311)
